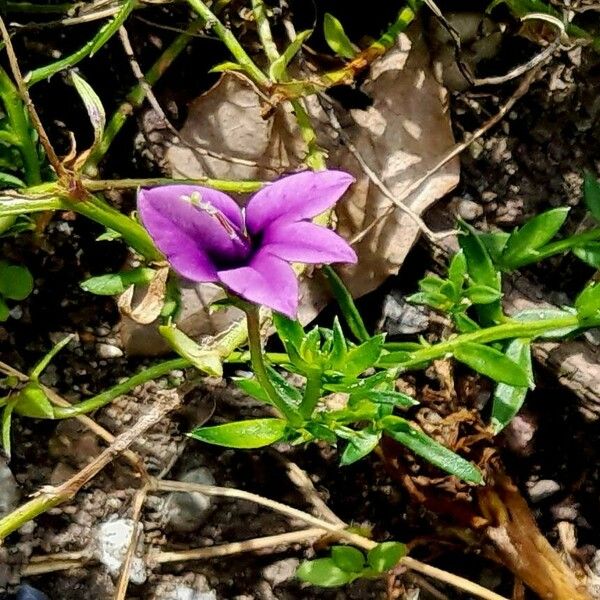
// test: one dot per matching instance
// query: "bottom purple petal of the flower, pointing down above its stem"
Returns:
(266, 280)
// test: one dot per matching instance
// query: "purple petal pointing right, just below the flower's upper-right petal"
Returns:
(307, 243)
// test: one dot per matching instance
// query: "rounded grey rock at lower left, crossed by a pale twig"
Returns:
(188, 511)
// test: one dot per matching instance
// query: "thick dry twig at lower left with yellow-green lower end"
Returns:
(49, 497)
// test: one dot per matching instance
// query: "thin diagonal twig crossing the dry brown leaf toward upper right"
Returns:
(458, 148)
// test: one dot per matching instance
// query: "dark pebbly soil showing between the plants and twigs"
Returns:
(531, 161)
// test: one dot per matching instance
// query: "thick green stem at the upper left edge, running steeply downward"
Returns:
(17, 115)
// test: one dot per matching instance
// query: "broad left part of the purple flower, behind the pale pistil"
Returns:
(191, 239)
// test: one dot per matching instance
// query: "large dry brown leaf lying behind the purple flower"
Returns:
(401, 136)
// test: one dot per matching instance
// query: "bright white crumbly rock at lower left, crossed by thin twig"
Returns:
(112, 541)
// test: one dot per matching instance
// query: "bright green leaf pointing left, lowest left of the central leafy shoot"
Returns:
(254, 433)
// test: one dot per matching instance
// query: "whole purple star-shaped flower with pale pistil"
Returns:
(207, 238)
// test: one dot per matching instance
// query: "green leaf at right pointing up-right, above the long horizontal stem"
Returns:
(522, 245)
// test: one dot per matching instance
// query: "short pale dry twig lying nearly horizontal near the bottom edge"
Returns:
(270, 541)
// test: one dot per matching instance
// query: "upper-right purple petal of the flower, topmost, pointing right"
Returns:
(296, 197)
